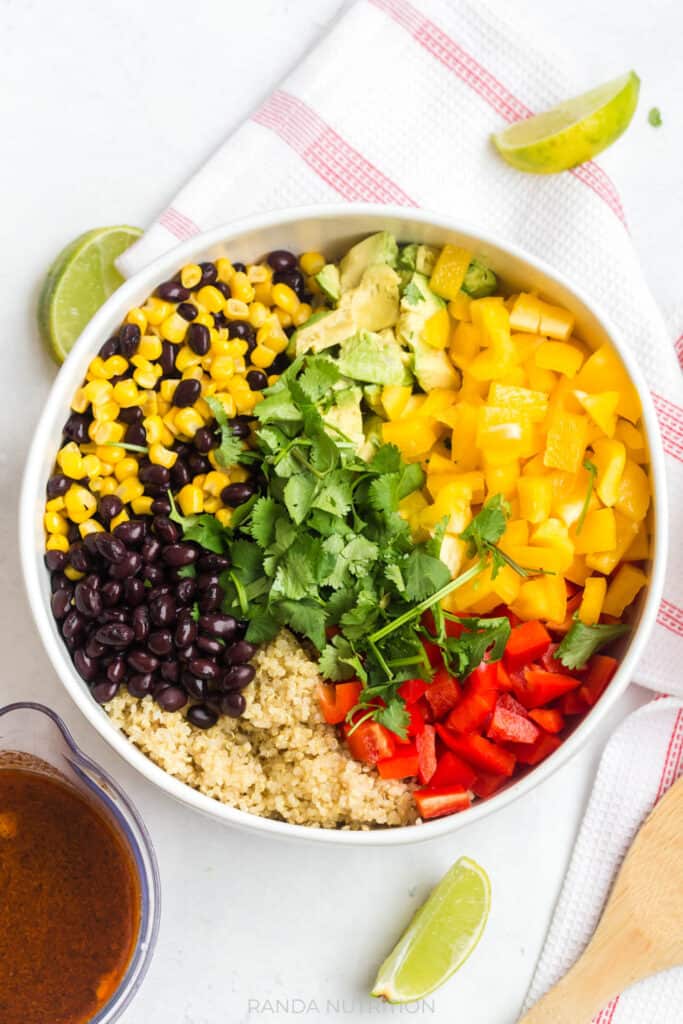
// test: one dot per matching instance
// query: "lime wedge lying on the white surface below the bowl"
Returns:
(441, 937)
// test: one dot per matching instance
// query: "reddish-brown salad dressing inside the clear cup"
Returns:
(70, 903)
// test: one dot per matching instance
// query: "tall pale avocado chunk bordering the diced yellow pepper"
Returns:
(433, 367)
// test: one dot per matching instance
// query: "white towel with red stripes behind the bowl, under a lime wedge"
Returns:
(397, 105)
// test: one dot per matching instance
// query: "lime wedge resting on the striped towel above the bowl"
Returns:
(575, 132)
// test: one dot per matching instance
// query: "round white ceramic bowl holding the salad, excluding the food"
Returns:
(331, 230)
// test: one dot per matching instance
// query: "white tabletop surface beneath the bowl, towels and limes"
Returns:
(105, 109)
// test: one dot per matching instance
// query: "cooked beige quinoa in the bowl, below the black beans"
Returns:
(280, 760)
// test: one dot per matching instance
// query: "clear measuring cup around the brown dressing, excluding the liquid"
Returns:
(35, 738)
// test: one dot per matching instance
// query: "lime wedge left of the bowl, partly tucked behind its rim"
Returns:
(79, 281)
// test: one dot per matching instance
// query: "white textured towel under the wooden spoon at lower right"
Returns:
(642, 761)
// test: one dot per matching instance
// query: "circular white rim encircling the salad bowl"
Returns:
(33, 484)
